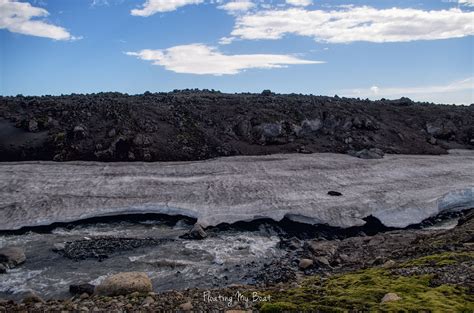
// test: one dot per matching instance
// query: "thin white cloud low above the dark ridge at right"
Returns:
(460, 92)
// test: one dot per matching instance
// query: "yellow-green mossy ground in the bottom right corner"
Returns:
(364, 290)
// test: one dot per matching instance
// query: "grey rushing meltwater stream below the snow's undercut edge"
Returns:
(173, 264)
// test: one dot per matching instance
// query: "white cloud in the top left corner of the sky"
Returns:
(20, 17)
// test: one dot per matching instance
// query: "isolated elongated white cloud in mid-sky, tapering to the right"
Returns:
(204, 60)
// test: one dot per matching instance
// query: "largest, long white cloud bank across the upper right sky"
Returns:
(356, 24)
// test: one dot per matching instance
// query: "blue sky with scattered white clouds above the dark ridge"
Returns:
(361, 48)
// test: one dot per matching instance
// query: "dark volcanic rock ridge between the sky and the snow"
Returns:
(195, 125)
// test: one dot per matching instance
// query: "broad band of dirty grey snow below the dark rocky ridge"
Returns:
(399, 190)
